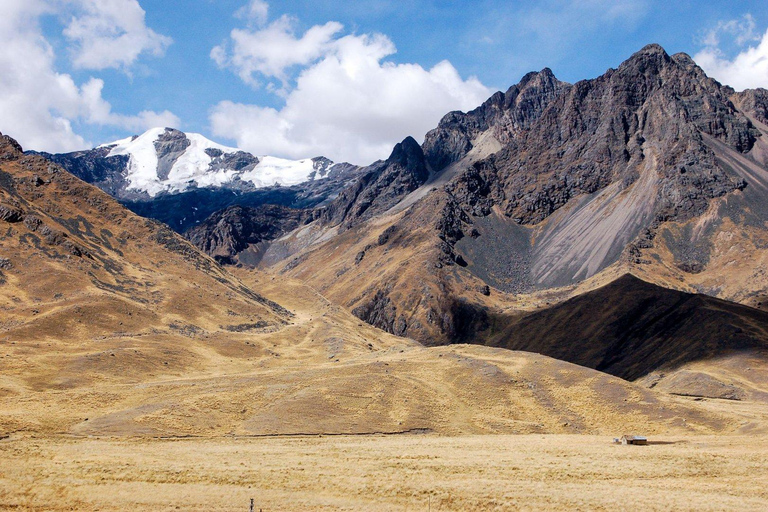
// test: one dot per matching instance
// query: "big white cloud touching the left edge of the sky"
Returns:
(38, 104)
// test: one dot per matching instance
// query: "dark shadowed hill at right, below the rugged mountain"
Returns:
(630, 328)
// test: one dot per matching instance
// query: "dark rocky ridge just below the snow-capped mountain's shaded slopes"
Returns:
(228, 232)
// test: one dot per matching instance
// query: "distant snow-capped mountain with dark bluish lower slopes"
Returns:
(182, 178)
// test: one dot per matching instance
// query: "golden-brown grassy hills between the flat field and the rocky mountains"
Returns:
(113, 325)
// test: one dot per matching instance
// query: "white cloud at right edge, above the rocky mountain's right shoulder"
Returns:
(749, 68)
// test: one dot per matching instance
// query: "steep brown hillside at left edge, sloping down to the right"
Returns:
(82, 275)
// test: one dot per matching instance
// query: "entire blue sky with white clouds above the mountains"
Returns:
(346, 80)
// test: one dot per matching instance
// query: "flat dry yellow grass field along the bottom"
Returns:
(406, 472)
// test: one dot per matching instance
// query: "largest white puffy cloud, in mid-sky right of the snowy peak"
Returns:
(348, 102)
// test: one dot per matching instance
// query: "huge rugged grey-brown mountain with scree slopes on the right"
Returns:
(544, 192)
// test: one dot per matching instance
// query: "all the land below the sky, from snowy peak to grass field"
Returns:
(464, 325)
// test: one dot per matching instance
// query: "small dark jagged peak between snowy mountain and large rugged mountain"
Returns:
(380, 186)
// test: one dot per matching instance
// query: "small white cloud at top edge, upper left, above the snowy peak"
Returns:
(111, 34)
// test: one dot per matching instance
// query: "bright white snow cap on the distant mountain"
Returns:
(168, 160)
